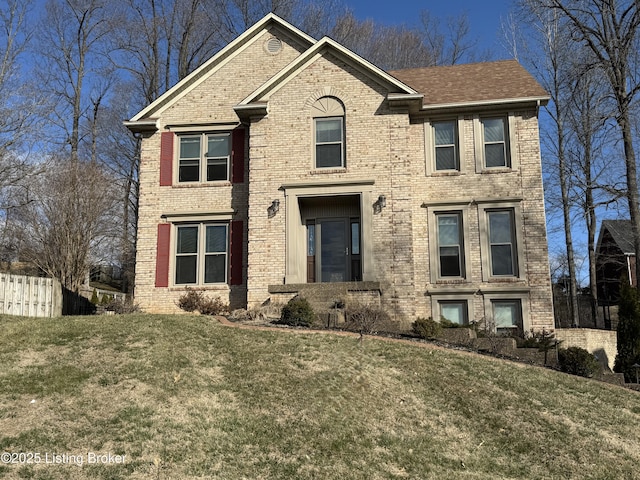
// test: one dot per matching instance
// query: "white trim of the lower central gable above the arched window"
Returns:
(316, 51)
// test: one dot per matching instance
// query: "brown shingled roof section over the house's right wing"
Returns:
(480, 83)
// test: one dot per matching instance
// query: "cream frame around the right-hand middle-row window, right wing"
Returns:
(485, 250)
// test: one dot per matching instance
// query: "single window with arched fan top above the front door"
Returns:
(328, 132)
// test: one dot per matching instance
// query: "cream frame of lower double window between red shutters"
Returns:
(200, 260)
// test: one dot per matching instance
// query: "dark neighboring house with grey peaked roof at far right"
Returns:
(615, 260)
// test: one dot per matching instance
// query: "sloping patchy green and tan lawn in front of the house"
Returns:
(184, 397)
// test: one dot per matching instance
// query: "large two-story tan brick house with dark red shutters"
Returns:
(286, 164)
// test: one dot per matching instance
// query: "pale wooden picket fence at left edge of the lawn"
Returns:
(30, 296)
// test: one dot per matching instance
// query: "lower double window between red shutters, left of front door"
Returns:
(201, 254)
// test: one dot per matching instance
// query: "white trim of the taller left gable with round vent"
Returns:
(217, 61)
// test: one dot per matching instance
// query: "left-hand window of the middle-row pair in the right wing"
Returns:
(450, 245)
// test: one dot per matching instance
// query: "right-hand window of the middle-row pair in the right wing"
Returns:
(502, 243)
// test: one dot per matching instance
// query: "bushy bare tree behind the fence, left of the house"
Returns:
(67, 222)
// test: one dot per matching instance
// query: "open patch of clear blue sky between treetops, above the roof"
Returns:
(484, 15)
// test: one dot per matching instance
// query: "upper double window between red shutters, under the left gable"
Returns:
(204, 157)
